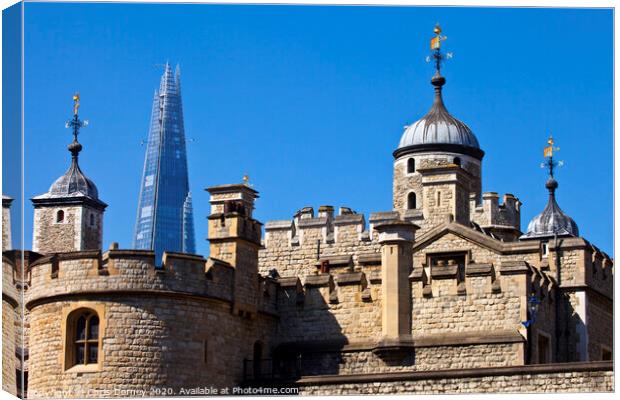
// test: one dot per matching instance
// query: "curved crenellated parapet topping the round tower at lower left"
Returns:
(135, 271)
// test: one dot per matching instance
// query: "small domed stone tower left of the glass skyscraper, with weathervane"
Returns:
(69, 217)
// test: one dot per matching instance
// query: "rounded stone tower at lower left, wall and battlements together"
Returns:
(153, 321)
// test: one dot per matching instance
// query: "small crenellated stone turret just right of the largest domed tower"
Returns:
(502, 219)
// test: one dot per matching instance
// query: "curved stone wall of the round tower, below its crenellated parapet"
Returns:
(148, 345)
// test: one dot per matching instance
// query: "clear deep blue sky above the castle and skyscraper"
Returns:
(310, 101)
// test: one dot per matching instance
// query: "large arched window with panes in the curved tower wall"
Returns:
(83, 335)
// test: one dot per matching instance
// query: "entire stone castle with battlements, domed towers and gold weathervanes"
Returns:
(446, 292)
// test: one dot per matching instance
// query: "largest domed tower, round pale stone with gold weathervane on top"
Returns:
(436, 141)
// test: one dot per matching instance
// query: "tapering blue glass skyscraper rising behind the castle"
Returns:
(165, 220)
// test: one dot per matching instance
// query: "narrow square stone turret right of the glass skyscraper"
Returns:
(235, 238)
